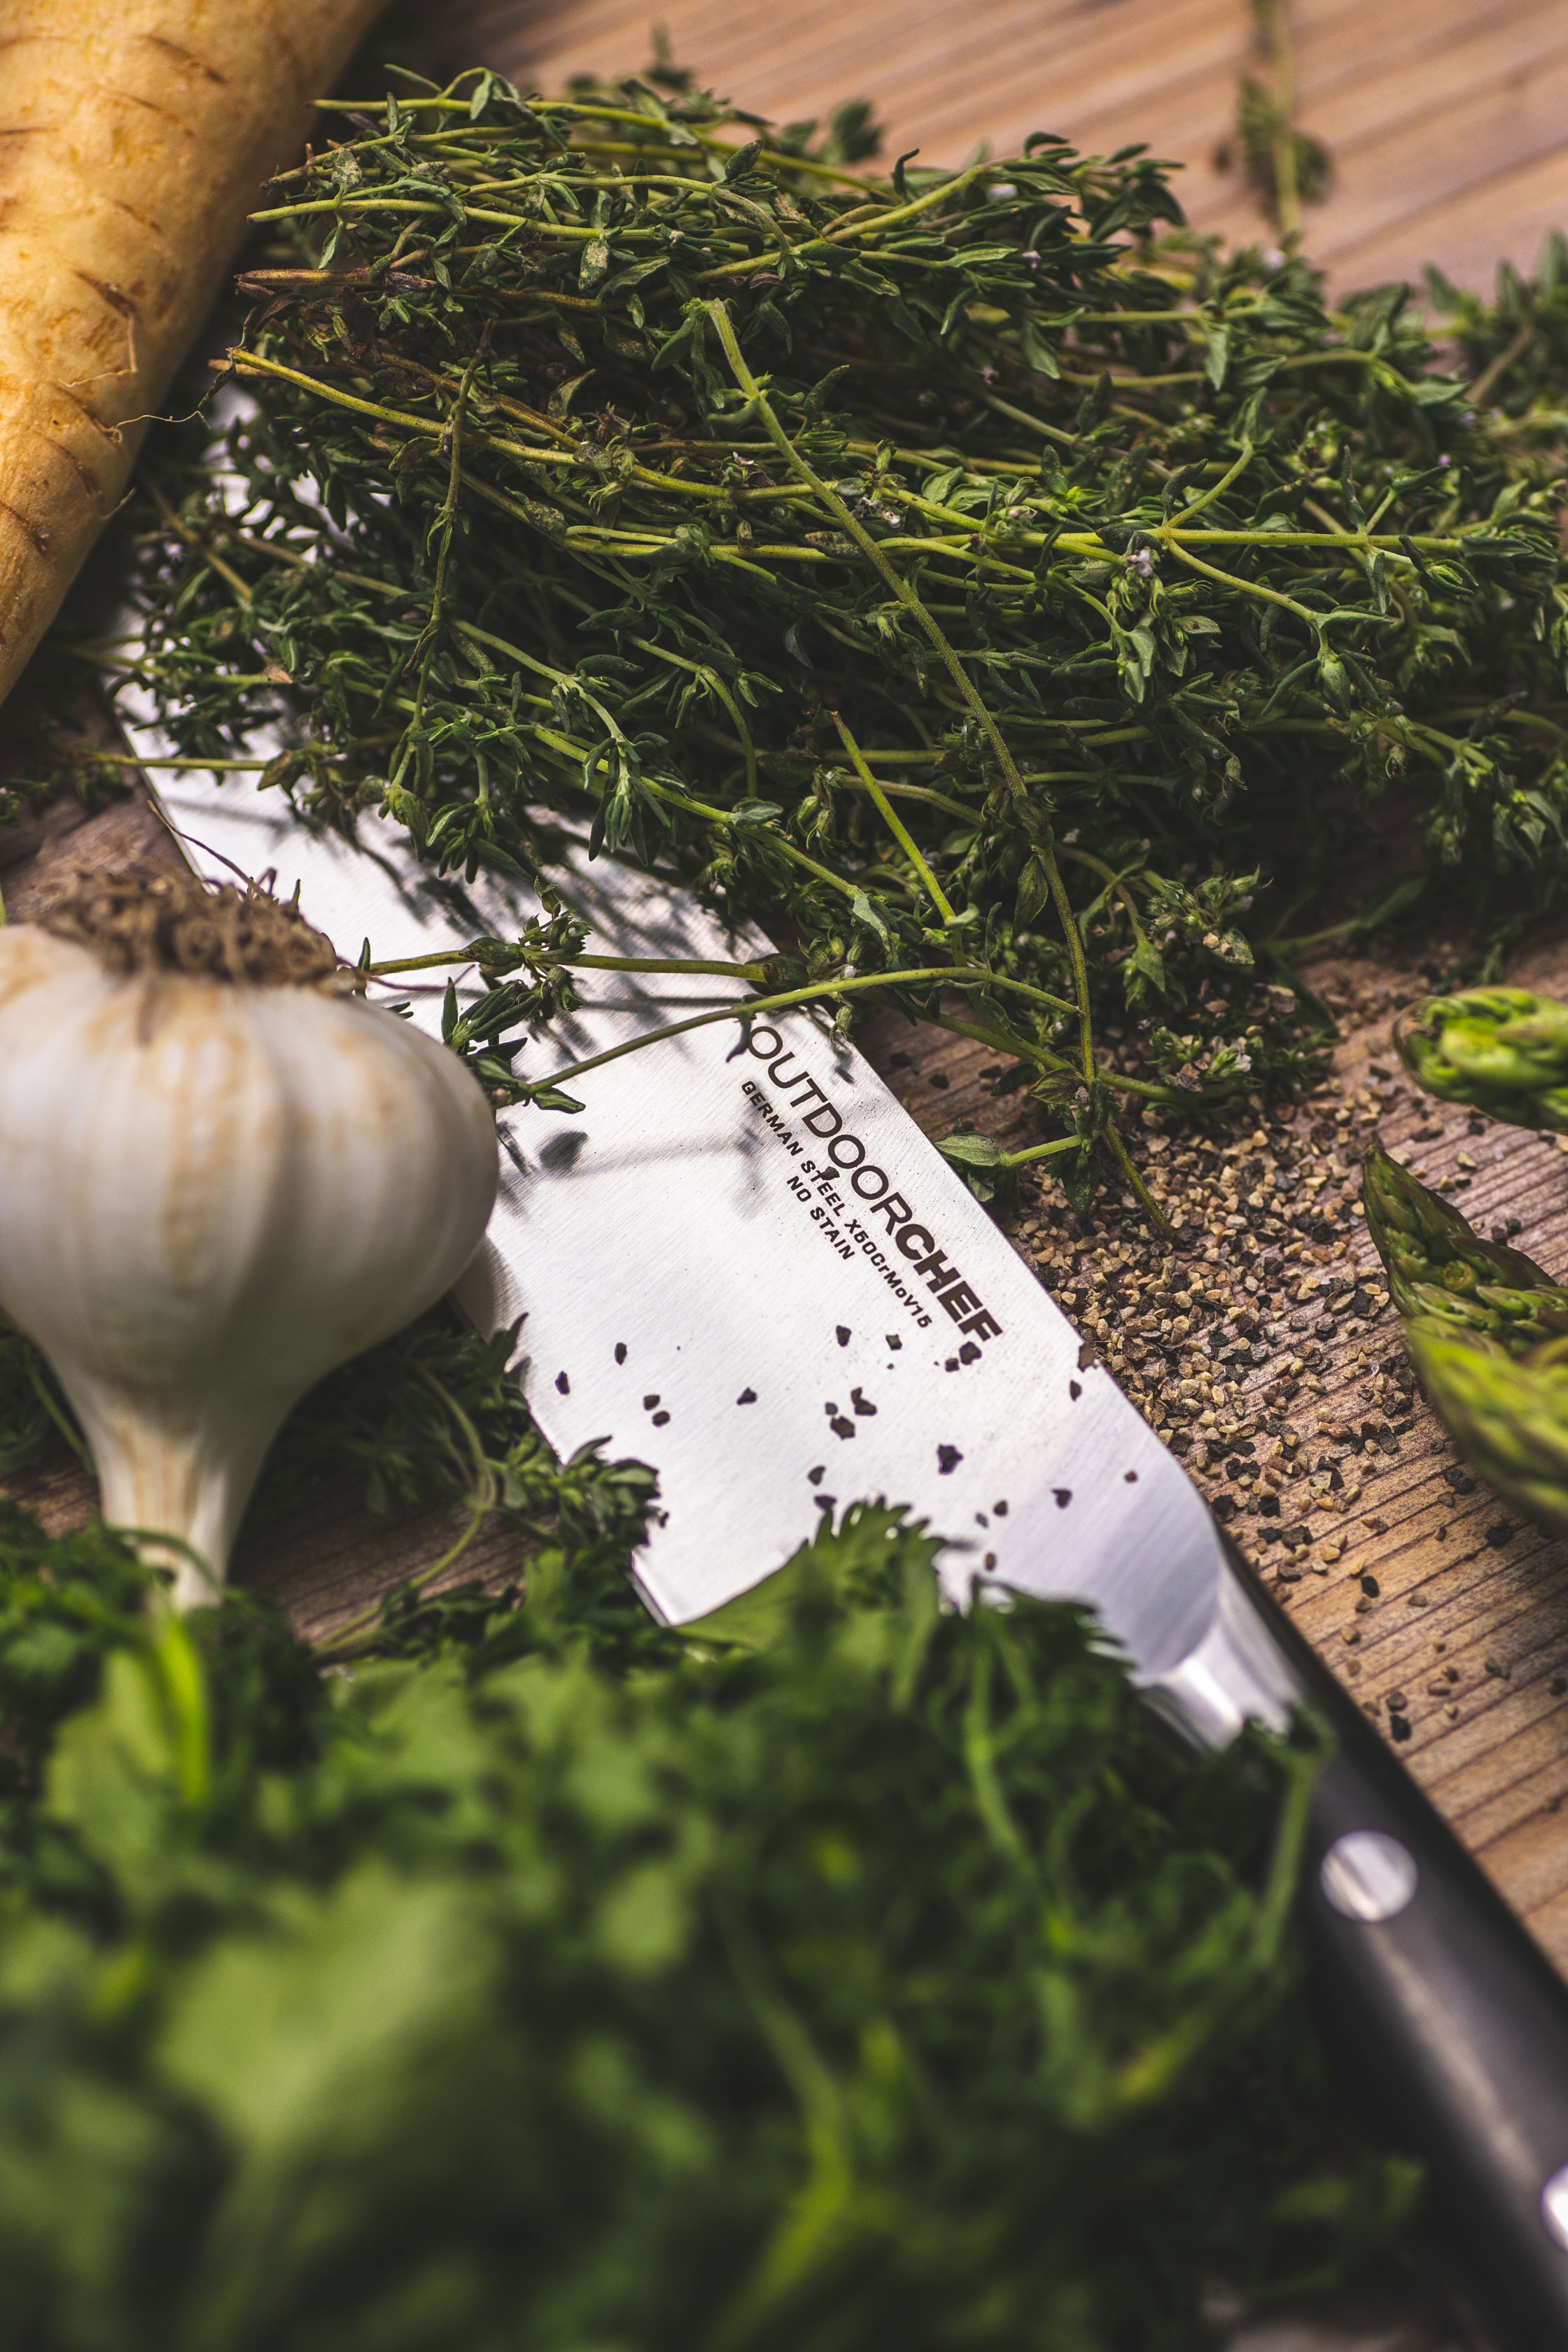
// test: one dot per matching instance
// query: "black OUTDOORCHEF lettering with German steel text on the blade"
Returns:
(876, 1201)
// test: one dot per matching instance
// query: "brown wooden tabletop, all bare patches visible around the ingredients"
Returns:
(1449, 128)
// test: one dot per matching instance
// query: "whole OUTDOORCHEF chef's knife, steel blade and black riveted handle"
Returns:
(746, 1264)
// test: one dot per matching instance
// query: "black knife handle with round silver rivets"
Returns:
(1447, 2019)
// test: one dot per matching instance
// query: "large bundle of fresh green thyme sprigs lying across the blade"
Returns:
(967, 575)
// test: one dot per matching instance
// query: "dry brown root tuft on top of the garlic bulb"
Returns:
(173, 923)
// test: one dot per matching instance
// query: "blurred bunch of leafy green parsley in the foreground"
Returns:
(521, 1975)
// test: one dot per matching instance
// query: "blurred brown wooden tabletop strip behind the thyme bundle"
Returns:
(1447, 119)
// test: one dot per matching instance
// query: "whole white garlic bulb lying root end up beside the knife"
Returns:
(220, 1177)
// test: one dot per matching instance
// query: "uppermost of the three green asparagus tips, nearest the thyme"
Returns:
(1501, 1050)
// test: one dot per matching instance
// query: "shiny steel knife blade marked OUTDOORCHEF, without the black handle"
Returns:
(746, 1264)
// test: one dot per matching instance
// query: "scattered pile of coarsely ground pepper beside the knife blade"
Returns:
(1238, 1344)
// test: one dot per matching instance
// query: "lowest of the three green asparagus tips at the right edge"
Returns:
(1508, 1415)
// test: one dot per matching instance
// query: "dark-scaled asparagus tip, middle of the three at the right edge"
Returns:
(1442, 1269)
